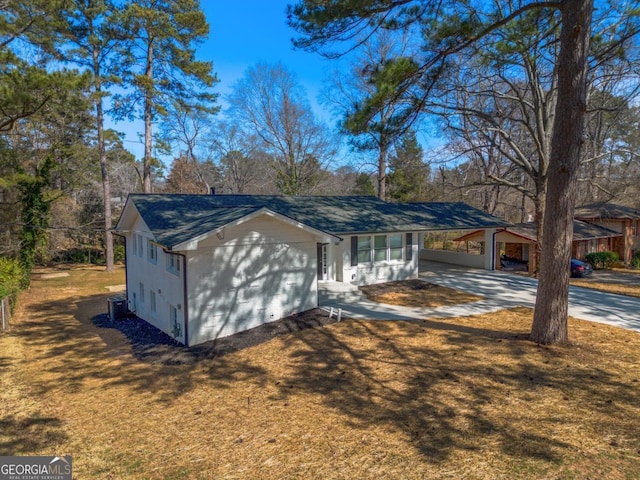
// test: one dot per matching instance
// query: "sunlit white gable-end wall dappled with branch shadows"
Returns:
(254, 273)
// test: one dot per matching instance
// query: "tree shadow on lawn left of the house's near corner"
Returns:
(73, 349)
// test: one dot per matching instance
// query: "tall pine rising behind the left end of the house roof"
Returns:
(159, 63)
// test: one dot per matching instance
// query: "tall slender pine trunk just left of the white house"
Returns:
(106, 185)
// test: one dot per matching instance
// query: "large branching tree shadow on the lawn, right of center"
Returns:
(451, 396)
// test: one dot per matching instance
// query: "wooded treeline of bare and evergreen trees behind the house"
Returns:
(478, 130)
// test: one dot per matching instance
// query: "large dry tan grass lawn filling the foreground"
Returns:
(459, 398)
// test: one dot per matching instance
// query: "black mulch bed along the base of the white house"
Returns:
(154, 346)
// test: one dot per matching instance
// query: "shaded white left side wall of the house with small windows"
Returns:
(168, 288)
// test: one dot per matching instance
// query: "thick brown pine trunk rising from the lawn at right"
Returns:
(551, 311)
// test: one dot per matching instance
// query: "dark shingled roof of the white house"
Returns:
(174, 219)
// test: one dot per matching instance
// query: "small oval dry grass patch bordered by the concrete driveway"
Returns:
(416, 293)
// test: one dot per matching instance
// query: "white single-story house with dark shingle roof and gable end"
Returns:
(200, 267)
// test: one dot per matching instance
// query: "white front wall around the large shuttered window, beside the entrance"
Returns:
(377, 272)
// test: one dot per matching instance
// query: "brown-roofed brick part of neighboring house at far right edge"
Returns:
(621, 219)
